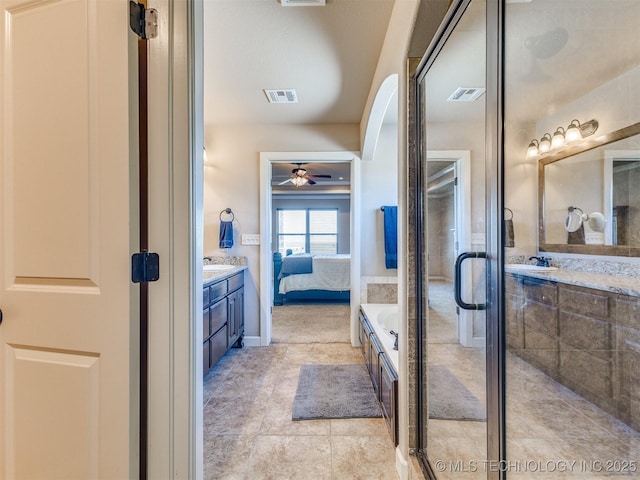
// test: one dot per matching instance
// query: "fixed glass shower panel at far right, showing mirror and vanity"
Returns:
(572, 334)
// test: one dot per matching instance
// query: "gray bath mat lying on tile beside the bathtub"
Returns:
(335, 391)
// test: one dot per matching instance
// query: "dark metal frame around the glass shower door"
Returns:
(494, 193)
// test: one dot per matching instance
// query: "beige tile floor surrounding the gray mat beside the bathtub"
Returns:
(249, 434)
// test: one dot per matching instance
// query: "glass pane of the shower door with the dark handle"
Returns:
(453, 427)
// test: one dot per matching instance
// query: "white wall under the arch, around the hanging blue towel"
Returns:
(379, 178)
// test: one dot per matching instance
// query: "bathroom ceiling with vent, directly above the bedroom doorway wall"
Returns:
(328, 54)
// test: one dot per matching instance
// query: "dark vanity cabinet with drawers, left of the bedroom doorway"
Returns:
(222, 318)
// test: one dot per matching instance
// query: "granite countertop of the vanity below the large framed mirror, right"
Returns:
(600, 281)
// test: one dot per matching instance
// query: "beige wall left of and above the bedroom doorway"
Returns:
(231, 179)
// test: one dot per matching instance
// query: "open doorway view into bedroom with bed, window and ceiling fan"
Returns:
(310, 237)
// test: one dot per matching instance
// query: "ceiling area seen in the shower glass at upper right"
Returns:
(556, 51)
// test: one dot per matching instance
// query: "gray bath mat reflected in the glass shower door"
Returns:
(449, 399)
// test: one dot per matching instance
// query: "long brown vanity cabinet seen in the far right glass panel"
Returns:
(584, 338)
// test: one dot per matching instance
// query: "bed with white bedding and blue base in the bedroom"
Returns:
(311, 277)
